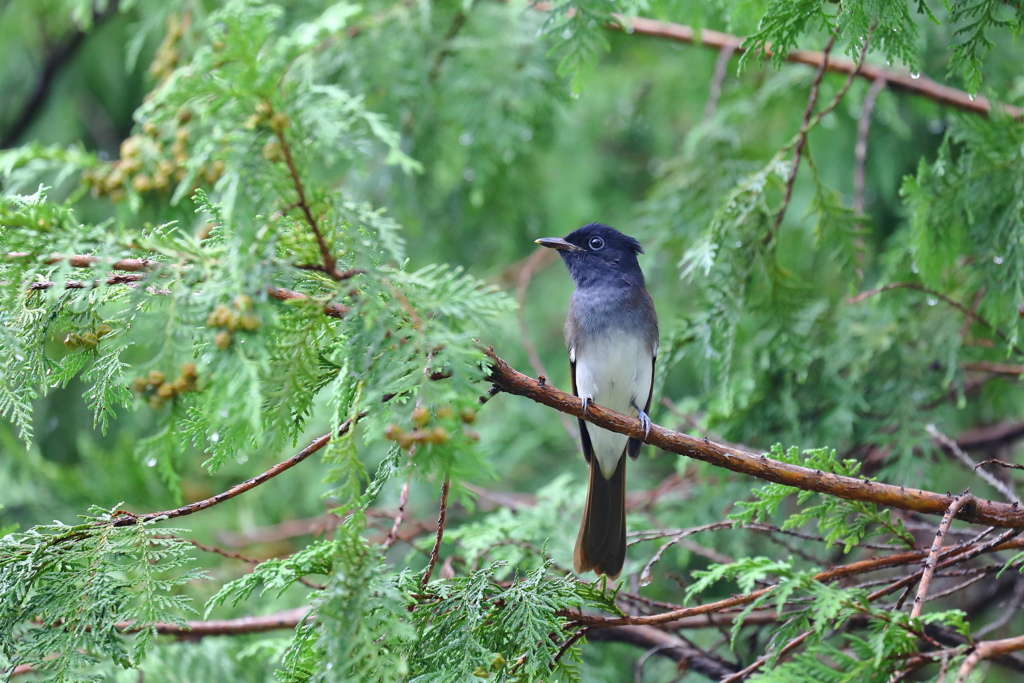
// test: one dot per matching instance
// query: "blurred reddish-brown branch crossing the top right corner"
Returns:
(904, 81)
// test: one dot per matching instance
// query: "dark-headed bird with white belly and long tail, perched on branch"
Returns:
(612, 334)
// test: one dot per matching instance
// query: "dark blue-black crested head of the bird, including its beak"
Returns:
(598, 254)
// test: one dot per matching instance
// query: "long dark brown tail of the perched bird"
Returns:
(602, 543)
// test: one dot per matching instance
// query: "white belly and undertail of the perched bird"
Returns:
(616, 371)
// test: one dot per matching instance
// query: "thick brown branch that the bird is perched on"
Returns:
(762, 467)
